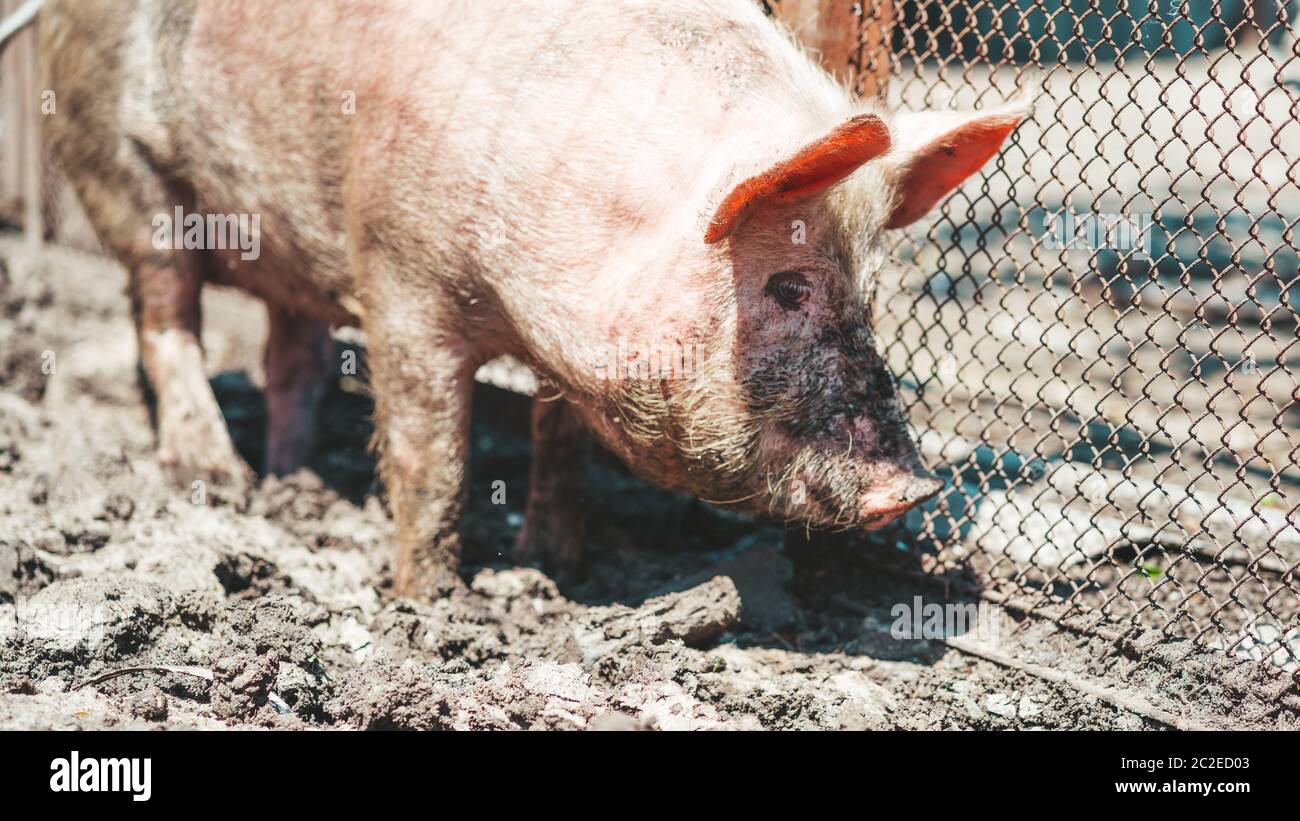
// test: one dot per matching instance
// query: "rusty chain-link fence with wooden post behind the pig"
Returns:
(1097, 338)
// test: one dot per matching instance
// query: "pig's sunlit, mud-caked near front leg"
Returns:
(423, 381)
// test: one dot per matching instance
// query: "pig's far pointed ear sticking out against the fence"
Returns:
(938, 151)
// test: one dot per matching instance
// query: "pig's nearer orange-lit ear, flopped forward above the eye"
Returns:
(816, 168)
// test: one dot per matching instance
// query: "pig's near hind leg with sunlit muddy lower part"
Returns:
(115, 154)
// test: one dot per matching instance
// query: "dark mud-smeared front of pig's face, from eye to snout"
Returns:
(813, 383)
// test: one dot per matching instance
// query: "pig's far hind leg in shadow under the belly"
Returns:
(298, 366)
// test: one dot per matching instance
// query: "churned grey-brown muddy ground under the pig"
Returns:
(272, 609)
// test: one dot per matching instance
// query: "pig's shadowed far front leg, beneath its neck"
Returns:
(554, 522)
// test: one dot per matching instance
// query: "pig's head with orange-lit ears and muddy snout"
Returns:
(786, 406)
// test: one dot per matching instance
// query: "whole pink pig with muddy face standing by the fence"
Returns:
(577, 184)
